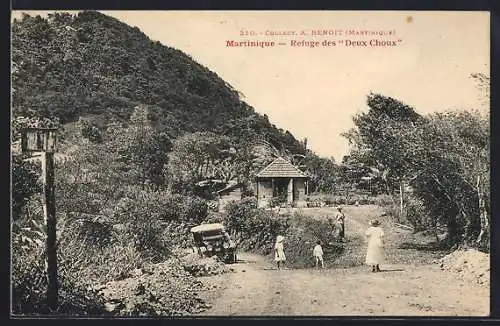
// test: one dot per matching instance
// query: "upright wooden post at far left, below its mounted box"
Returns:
(49, 209)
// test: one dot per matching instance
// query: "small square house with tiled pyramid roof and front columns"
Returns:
(281, 183)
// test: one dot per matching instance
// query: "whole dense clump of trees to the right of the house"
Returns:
(442, 157)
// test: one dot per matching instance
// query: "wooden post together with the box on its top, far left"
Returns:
(44, 140)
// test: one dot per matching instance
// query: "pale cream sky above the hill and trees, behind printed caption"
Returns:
(314, 91)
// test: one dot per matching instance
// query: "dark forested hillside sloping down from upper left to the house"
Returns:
(90, 64)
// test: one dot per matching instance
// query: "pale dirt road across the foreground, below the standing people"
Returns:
(256, 288)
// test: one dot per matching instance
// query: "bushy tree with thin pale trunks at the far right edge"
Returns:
(458, 146)
